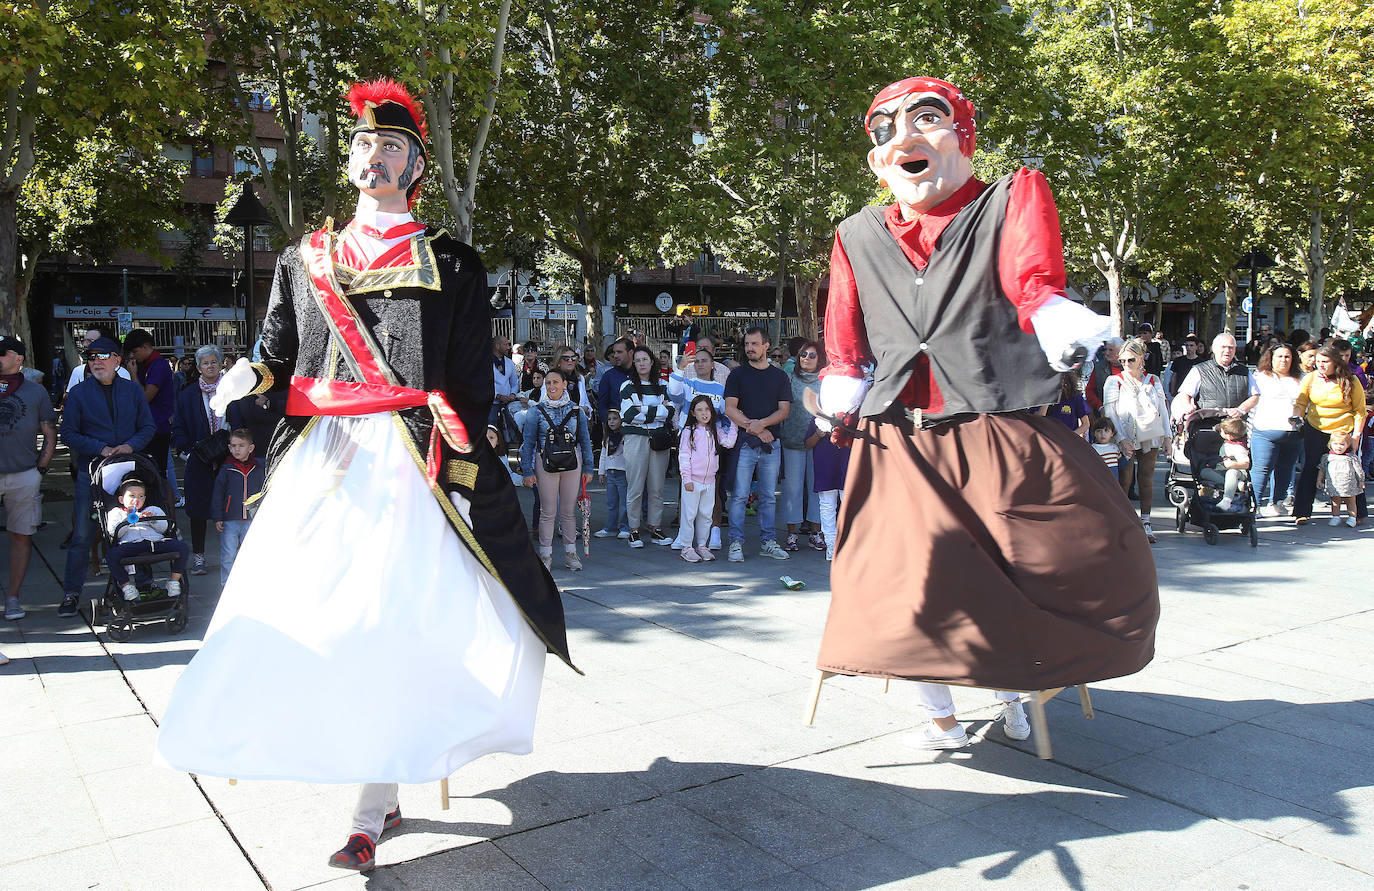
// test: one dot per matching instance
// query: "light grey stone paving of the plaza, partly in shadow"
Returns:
(1241, 758)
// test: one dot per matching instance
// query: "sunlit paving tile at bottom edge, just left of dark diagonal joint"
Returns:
(168, 859)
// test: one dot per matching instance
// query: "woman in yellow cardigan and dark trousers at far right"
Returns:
(1331, 402)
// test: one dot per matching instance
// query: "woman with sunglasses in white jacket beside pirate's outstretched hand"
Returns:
(1134, 399)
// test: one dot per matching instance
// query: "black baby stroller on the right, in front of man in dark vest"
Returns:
(1197, 446)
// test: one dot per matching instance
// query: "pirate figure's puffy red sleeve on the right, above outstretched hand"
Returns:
(1031, 258)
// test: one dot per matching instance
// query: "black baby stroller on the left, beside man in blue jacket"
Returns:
(153, 604)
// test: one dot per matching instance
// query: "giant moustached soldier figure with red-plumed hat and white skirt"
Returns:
(387, 619)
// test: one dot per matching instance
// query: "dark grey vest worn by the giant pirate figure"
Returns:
(954, 311)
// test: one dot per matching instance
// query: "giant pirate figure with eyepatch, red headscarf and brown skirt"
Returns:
(995, 522)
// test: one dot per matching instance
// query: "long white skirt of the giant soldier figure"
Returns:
(358, 639)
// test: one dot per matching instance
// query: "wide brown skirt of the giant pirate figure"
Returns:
(997, 552)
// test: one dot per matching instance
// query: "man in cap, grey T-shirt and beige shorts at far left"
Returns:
(25, 413)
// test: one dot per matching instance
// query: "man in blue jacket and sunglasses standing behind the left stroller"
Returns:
(104, 416)
